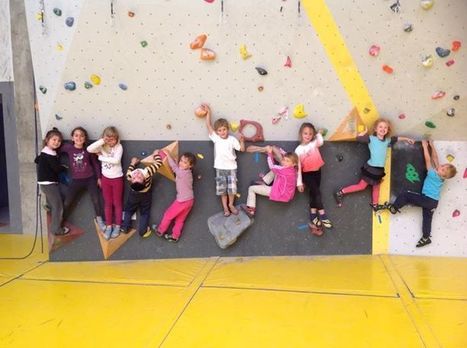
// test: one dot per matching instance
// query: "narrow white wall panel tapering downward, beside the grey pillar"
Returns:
(50, 43)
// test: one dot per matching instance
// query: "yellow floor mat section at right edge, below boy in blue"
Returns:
(433, 277)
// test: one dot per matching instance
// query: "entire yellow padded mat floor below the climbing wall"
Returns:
(344, 301)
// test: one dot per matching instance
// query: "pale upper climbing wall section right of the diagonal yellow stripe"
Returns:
(408, 90)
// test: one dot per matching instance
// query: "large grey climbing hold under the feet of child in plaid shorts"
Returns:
(226, 230)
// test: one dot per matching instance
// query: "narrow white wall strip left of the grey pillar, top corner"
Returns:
(6, 66)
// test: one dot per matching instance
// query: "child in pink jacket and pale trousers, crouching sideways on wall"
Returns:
(283, 186)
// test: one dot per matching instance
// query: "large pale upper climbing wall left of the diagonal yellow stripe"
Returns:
(166, 79)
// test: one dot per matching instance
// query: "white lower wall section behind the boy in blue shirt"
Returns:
(449, 232)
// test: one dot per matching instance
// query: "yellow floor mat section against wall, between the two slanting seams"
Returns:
(363, 274)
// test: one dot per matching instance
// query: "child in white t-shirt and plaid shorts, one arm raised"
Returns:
(224, 160)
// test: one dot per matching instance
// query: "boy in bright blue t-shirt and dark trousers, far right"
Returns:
(428, 199)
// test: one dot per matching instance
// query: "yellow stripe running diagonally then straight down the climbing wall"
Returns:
(328, 32)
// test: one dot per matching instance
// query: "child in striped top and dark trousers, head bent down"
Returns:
(140, 195)
